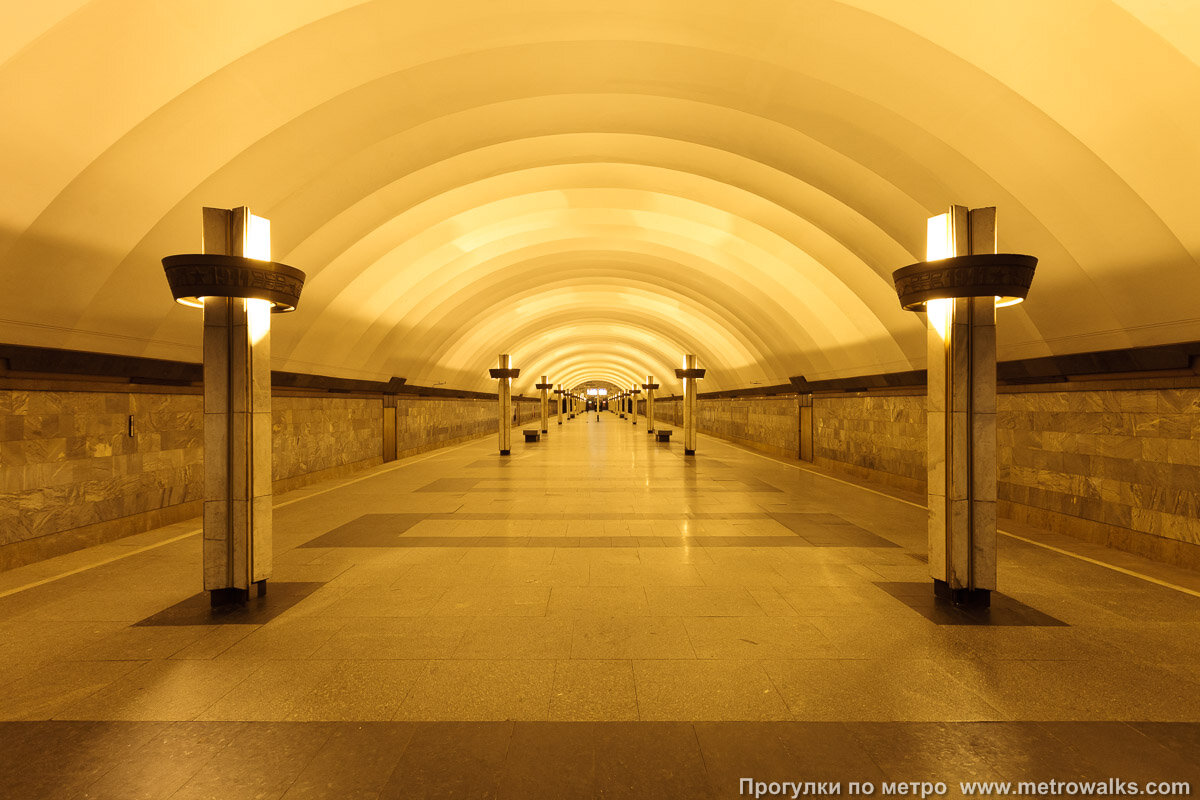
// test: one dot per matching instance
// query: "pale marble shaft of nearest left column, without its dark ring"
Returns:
(237, 425)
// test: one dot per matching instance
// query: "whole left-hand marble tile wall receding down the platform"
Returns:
(71, 477)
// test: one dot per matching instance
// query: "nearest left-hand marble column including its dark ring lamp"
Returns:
(238, 286)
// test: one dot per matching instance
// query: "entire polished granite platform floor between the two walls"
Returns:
(595, 616)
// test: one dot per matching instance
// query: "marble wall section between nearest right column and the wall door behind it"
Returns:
(878, 437)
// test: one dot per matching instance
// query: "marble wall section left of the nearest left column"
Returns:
(68, 460)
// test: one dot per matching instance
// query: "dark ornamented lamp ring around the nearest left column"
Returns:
(196, 276)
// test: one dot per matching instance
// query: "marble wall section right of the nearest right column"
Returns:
(1120, 468)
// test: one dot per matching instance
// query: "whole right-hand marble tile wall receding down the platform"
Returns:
(1118, 467)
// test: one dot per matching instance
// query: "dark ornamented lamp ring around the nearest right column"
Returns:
(1005, 276)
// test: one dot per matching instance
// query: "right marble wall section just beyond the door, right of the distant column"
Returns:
(770, 424)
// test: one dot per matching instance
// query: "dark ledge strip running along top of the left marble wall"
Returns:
(25, 362)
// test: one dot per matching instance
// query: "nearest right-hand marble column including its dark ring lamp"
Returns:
(961, 286)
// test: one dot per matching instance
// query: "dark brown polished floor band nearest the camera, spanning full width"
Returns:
(155, 761)
